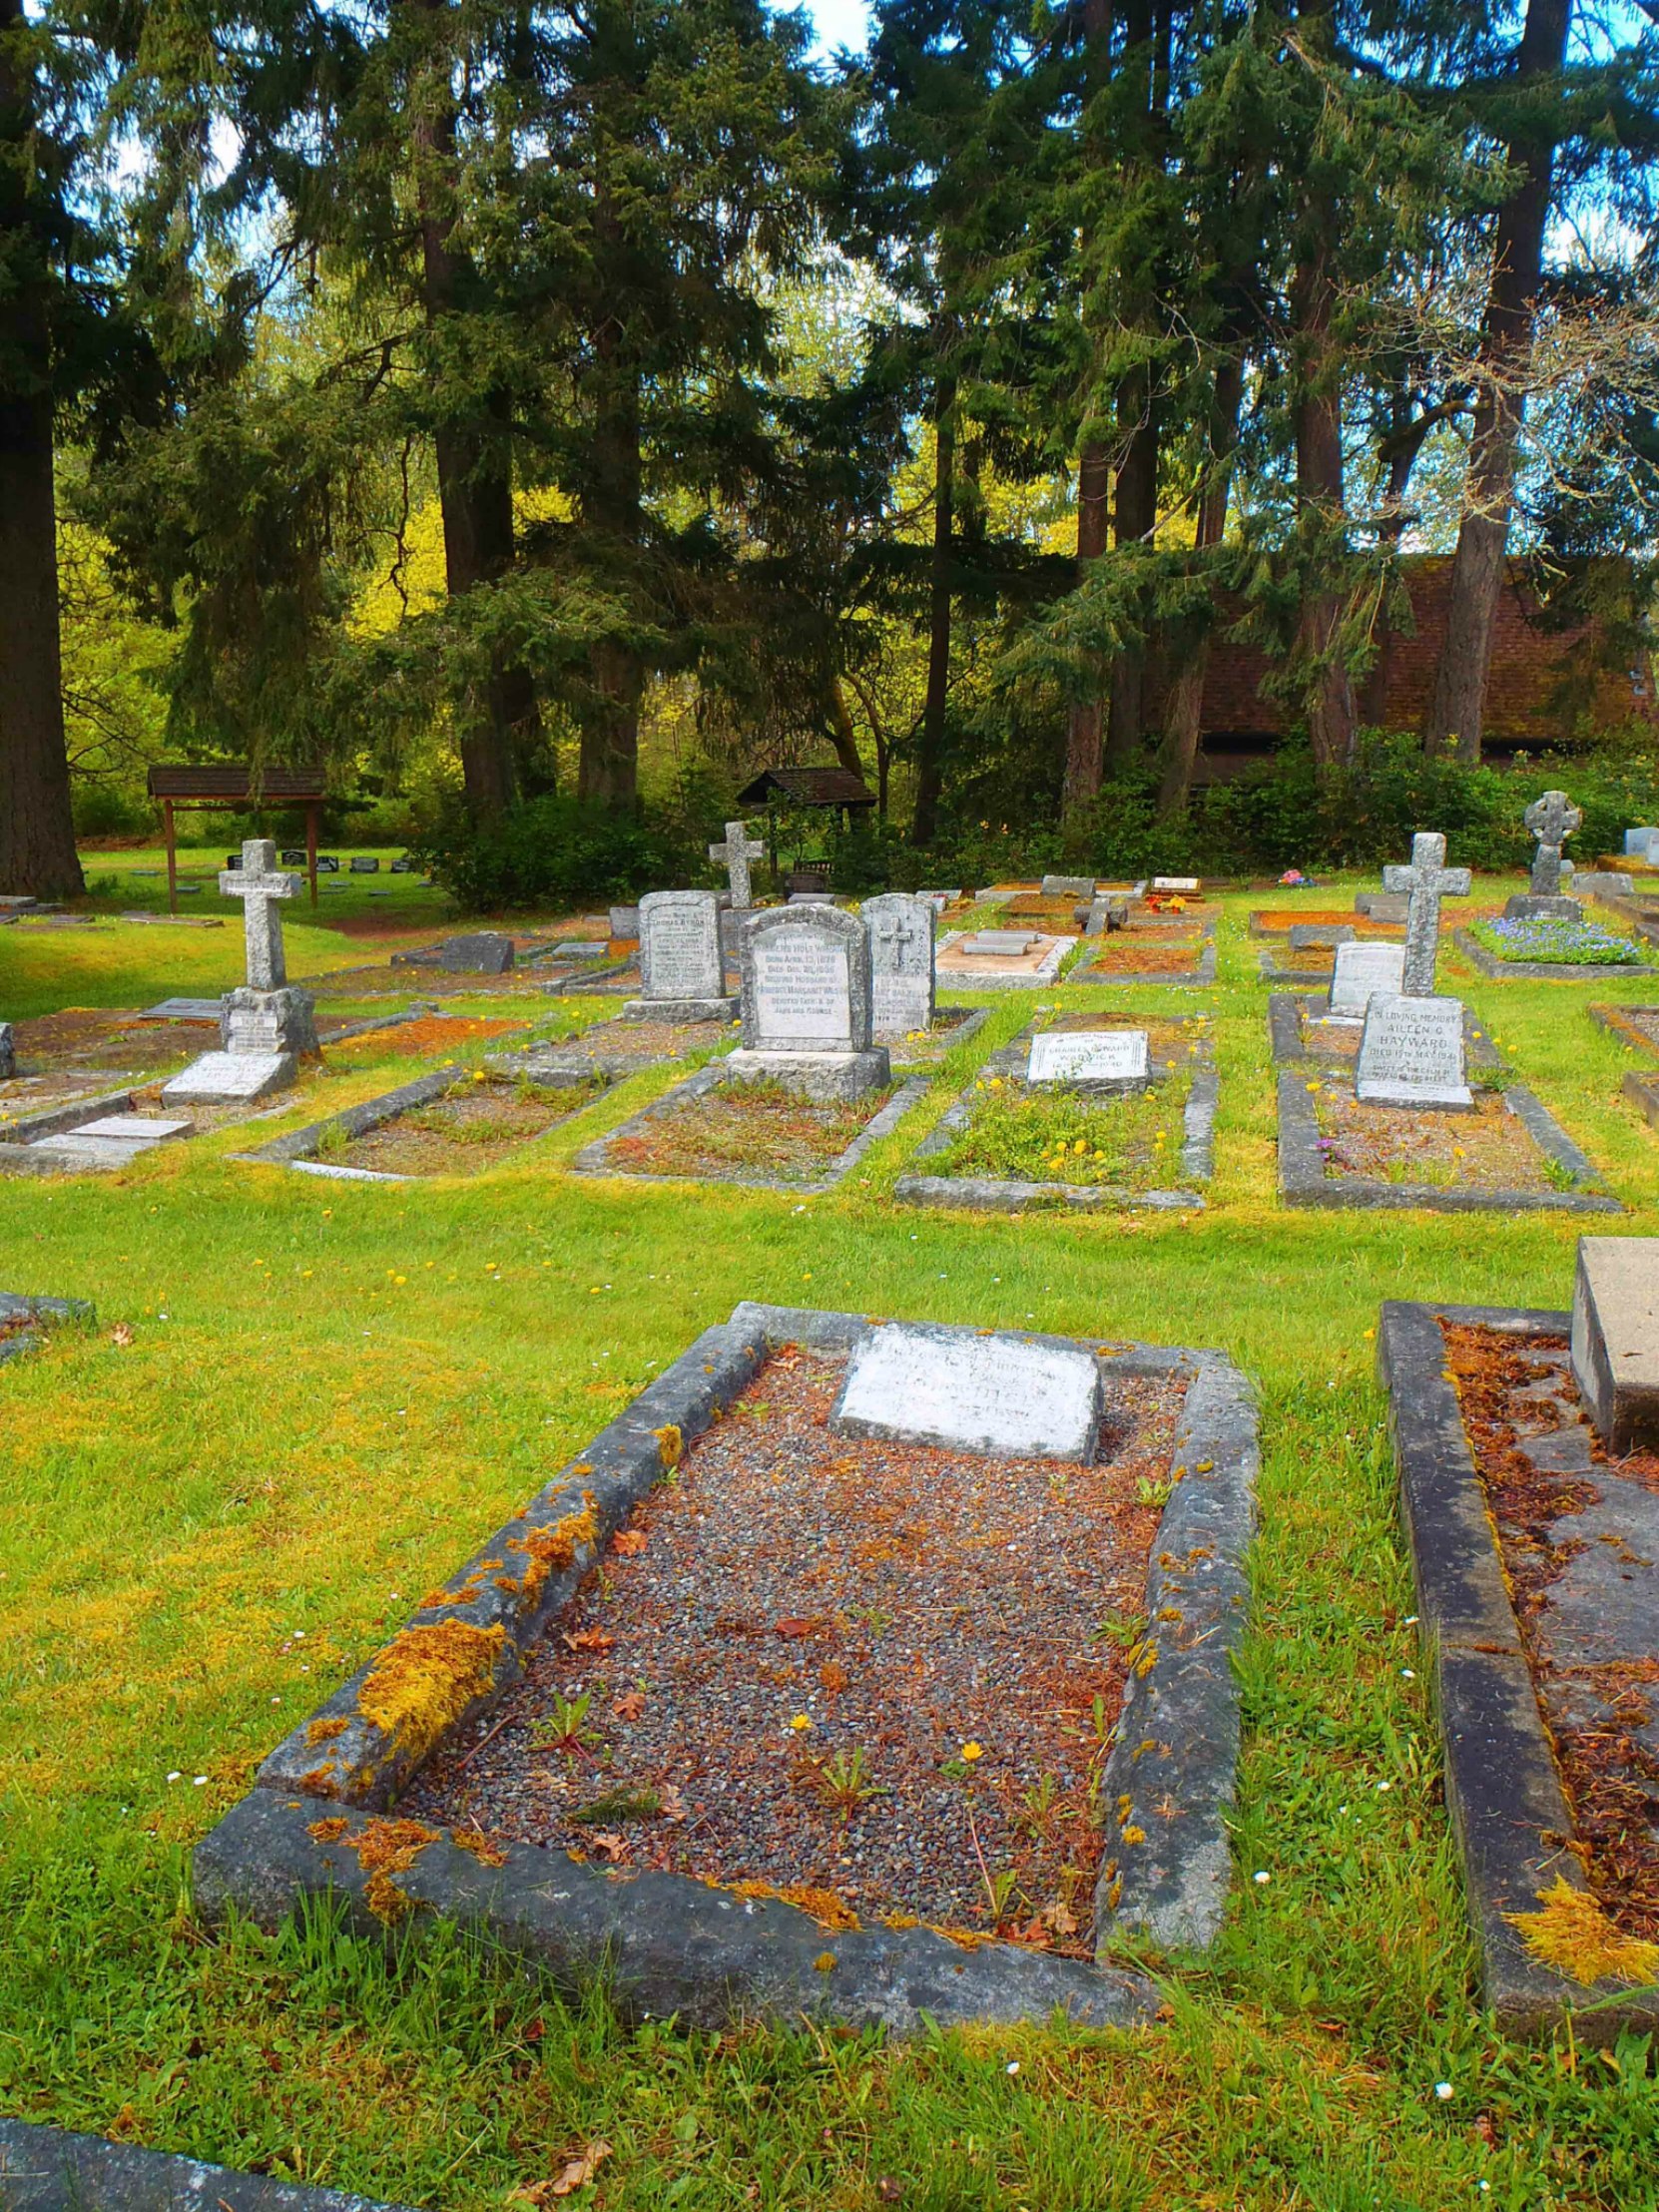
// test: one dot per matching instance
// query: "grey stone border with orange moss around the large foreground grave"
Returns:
(674, 1945)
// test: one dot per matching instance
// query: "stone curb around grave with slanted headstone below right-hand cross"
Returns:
(1302, 1171)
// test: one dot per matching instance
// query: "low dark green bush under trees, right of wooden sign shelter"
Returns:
(552, 853)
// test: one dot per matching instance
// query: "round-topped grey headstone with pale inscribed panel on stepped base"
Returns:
(808, 1005)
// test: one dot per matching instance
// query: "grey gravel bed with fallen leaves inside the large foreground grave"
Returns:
(870, 1678)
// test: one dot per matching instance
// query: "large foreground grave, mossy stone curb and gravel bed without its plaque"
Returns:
(802, 1879)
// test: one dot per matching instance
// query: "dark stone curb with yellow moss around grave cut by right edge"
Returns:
(1503, 1786)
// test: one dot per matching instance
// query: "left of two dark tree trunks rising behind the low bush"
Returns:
(474, 470)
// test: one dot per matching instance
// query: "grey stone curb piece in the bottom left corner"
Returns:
(54, 2171)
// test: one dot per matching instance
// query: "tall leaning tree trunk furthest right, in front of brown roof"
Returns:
(1459, 707)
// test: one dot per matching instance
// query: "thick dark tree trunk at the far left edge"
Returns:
(36, 826)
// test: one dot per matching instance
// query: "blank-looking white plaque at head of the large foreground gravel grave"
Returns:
(972, 1392)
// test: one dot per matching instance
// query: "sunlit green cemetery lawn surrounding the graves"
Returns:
(304, 1404)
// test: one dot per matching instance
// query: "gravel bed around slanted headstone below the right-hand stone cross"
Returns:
(1483, 1149)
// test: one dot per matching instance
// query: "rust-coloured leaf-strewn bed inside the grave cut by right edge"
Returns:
(1550, 1488)
